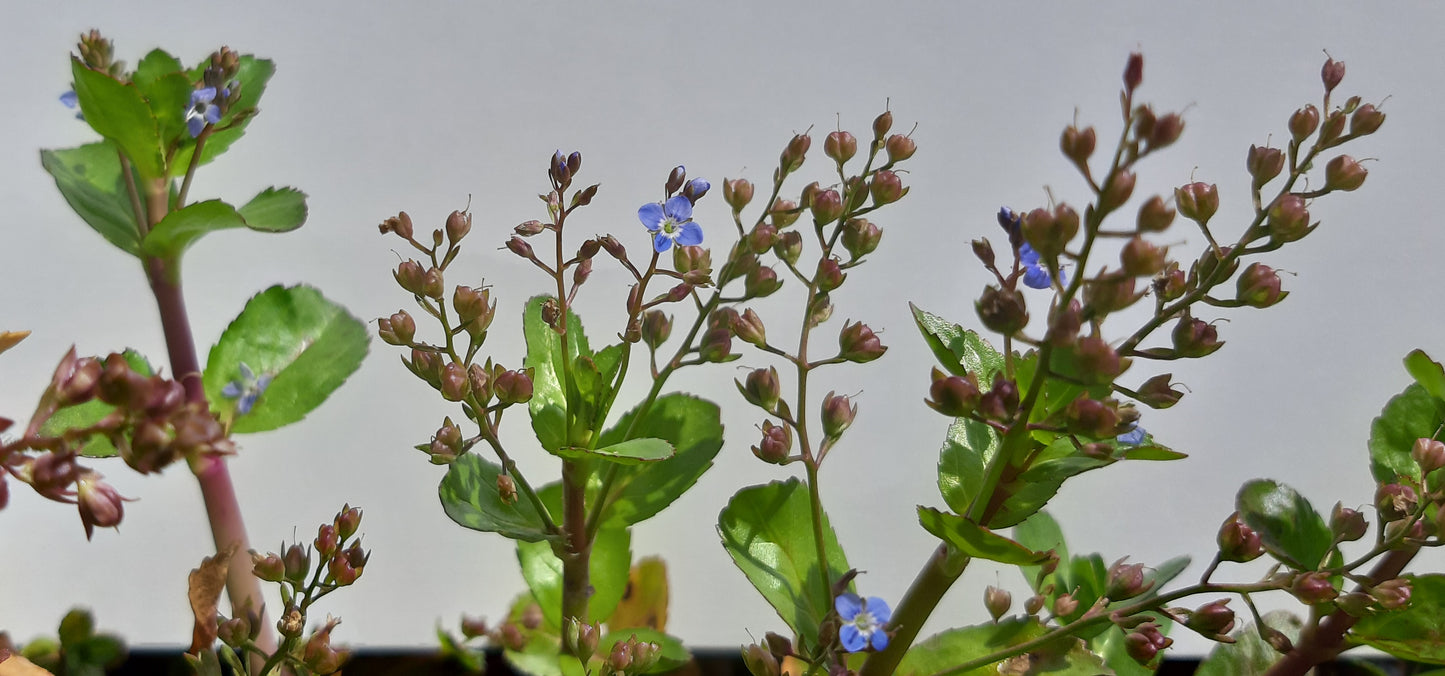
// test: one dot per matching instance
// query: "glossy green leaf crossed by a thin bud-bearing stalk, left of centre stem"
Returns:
(470, 498)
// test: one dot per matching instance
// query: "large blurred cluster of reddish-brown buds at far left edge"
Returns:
(148, 421)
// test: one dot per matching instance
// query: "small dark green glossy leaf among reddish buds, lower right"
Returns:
(1288, 526)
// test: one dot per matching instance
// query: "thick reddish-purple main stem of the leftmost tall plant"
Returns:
(222, 508)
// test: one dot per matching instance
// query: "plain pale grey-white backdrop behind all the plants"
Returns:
(379, 108)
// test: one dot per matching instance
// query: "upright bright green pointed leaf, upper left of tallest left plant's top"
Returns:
(119, 112)
